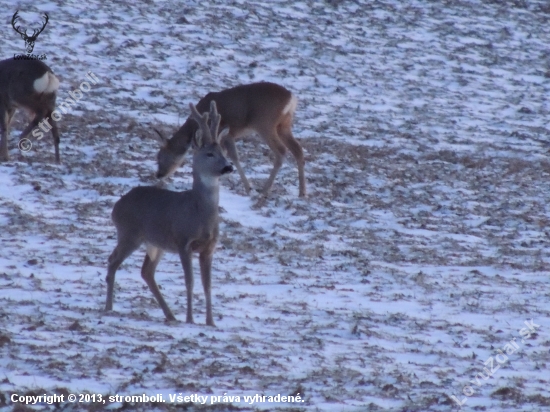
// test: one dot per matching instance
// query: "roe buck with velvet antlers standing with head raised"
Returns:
(180, 222)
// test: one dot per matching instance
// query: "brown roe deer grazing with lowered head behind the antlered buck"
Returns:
(265, 108)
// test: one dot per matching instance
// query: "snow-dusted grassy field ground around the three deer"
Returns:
(422, 248)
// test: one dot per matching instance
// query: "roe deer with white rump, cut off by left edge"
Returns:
(30, 84)
